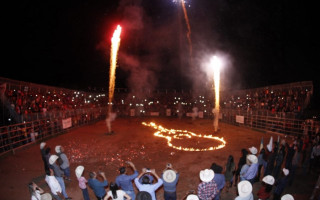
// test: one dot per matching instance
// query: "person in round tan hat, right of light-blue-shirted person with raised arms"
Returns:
(170, 179)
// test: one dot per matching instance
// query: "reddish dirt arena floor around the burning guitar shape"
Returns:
(91, 147)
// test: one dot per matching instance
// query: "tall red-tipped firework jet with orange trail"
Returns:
(115, 44)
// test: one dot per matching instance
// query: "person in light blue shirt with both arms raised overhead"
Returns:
(146, 185)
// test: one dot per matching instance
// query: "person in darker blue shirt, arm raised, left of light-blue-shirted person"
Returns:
(124, 181)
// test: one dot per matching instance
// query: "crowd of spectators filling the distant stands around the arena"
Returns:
(278, 99)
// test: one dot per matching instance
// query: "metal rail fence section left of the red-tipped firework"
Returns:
(17, 136)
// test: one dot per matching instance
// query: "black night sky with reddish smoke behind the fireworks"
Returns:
(67, 43)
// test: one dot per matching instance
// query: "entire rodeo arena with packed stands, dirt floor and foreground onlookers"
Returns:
(58, 143)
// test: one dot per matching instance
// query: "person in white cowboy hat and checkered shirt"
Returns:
(207, 189)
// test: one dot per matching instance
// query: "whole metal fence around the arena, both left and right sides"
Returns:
(40, 127)
